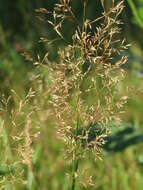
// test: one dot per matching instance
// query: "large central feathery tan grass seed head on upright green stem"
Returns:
(84, 84)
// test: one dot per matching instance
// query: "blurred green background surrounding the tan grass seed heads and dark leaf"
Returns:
(20, 31)
